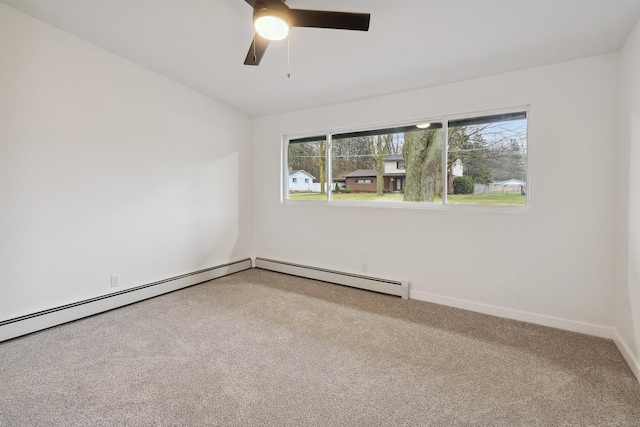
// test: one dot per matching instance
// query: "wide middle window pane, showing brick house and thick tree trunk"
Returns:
(402, 164)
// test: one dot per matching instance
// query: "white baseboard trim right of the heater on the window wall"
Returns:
(523, 316)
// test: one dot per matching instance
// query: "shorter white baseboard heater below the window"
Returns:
(375, 284)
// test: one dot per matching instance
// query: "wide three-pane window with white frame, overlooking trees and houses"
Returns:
(479, 160)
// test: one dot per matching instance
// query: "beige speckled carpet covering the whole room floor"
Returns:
(263, 349)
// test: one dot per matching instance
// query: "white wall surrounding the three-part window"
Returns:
(552, 265)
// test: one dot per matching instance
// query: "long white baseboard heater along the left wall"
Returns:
(27, 324)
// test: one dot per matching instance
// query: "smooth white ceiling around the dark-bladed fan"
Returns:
(411, 43)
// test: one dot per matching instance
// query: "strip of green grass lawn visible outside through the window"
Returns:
(480, 199)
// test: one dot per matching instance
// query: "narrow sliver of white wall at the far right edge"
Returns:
(627, 296)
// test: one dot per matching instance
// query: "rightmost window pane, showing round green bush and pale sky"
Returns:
(486, 160)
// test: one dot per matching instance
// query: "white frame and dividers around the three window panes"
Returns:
(327, 135)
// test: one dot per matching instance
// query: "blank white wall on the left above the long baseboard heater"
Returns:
(107, 168)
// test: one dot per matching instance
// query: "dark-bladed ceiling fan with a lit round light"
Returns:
(273, 19)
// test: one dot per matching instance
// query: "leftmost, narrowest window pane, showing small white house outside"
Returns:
(307, 168)
